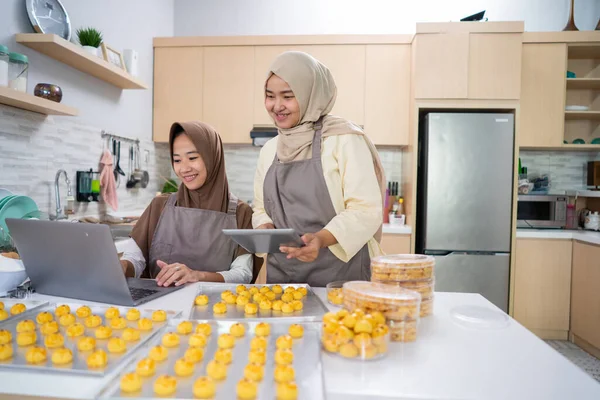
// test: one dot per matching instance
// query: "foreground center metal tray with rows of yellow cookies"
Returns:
(226, 359)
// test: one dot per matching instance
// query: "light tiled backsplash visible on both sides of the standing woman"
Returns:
(241, 163)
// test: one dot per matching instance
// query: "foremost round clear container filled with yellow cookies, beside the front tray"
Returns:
(353, 335)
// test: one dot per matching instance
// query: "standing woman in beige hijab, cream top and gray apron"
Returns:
(320, 176)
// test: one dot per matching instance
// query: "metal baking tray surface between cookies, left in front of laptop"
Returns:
(79, 364)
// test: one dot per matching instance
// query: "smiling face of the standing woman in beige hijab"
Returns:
(281, 104)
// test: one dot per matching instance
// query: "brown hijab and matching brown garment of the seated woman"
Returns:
(213, 195)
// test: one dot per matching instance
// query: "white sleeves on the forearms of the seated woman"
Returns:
(240, 270)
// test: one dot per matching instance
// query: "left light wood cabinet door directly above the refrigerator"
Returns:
(441, 66)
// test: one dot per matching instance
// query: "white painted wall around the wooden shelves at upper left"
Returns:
(125, 24)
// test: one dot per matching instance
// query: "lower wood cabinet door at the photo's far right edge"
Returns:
(585, 300)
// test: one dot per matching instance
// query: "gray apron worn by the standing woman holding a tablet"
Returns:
(296, 196)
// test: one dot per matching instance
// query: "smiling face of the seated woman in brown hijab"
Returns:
(187, 163)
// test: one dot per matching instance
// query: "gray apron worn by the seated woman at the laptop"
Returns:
(193, 237)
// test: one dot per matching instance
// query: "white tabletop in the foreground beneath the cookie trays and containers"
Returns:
(446, 362)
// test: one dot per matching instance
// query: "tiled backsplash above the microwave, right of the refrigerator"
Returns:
(567, 170)
